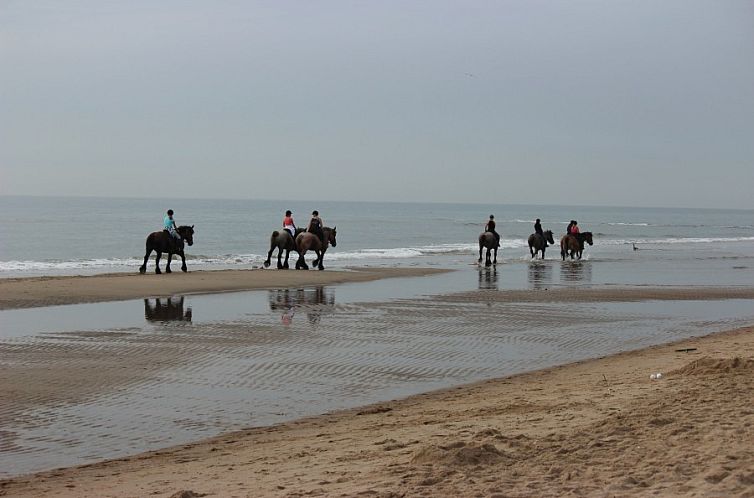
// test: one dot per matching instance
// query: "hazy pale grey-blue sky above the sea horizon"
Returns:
(618, 103)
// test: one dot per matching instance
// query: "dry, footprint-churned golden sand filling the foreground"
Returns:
(597, 426)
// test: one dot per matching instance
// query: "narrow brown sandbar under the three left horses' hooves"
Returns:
(49, 291)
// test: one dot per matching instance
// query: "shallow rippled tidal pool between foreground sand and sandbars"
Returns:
(138, 375)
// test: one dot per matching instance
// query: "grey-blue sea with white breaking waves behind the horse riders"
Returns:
(48, 236)
